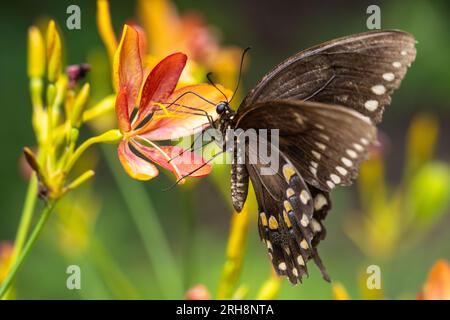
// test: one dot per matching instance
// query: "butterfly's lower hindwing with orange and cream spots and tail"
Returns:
(286, 219)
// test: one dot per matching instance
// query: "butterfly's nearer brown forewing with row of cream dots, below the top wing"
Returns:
(325, 143)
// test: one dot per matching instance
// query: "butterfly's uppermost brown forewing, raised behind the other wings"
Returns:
(359, 72)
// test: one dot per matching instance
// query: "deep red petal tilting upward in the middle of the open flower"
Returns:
(161, 82)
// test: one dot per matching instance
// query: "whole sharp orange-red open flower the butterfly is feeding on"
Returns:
(155, 118)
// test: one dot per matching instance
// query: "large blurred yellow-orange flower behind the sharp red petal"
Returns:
(188, 33)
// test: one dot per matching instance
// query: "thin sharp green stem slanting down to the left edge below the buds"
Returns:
(26, 250)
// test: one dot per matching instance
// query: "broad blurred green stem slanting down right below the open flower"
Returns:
(168, 278)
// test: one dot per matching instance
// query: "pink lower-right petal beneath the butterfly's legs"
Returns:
(182, 164)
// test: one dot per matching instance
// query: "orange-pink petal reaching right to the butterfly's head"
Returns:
(182, 121)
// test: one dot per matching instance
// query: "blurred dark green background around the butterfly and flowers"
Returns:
(195, 218)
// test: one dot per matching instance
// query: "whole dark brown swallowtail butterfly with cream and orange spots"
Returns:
(325, 101)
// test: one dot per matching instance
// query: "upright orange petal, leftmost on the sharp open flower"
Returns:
(128, 71)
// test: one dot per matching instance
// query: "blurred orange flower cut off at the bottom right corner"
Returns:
(437, 286)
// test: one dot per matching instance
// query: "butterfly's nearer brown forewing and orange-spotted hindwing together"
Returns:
(293, 201)
